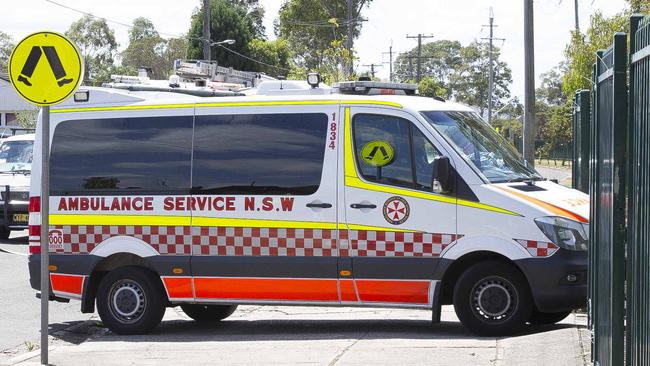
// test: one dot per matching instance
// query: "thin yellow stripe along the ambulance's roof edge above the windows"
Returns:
(228, 104)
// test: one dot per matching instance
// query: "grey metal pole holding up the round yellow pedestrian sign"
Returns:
(45, 229)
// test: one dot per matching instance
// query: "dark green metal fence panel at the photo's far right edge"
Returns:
(638, 248)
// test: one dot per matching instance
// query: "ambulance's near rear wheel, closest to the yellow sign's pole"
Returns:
(131, 300)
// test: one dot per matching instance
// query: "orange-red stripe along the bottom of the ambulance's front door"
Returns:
(413, 292)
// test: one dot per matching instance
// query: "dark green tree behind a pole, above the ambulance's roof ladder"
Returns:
(229, 19)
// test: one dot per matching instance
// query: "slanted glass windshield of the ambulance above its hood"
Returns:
(481, 146)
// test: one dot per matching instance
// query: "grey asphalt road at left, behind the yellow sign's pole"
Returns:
(19, 308)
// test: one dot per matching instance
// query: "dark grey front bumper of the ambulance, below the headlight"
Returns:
(550, 280)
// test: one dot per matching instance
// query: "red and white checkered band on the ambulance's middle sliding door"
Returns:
(237, 241)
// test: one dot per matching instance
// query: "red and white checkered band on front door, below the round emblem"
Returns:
(365, 243)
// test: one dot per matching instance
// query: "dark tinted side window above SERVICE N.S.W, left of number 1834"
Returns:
(259, 153)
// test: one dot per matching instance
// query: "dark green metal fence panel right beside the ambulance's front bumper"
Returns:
(607, 213)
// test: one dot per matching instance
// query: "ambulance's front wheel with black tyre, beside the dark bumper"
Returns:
(492, 299)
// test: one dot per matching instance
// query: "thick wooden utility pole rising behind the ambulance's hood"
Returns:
(529, 84)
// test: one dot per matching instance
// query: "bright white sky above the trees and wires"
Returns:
(388, 21)
